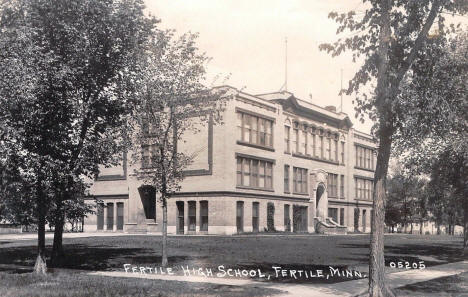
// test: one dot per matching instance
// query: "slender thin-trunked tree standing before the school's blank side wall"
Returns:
(172, 102)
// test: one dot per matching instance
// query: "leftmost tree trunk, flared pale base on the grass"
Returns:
(40, 267)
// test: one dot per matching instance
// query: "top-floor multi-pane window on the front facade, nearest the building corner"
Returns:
(255, 130)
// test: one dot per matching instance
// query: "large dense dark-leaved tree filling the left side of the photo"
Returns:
(76, 63)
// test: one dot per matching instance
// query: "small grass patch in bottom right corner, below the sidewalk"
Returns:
(456, 285)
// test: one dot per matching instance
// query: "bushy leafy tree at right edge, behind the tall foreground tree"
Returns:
(435, 143)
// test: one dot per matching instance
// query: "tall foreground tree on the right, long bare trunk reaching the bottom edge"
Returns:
(391, 37)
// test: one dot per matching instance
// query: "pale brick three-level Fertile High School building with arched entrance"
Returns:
(274, 155)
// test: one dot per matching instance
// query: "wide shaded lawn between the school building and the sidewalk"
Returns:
(305, 252)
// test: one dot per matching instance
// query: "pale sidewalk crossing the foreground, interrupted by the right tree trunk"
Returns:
(349, 288)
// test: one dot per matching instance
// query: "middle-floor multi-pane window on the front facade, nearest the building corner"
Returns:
(254, 173)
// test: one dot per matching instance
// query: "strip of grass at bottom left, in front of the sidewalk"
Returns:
(81, 285)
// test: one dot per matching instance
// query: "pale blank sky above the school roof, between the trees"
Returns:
(246, 39)
